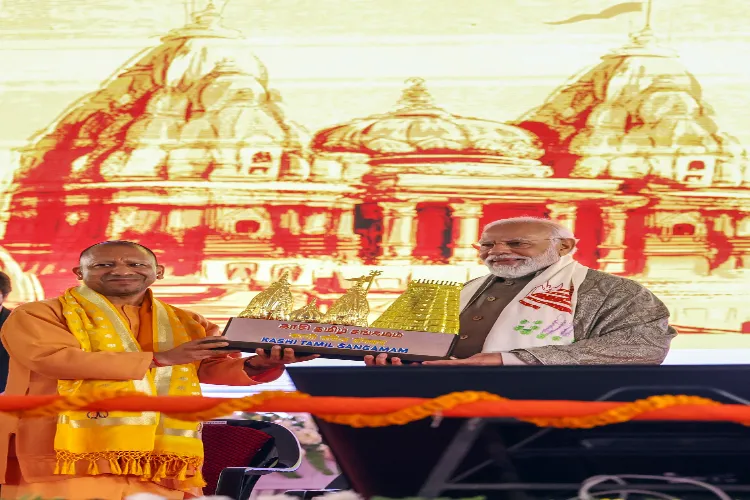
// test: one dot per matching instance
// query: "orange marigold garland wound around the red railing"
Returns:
(432, 407)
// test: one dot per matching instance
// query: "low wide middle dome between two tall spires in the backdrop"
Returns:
(418, 126)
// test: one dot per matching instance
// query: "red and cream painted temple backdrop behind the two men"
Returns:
(240, 140)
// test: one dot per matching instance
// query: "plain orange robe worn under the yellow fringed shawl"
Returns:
(42, 351)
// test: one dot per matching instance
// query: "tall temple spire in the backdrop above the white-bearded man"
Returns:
(637, 114)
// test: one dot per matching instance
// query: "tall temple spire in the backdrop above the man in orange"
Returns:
(197, 106)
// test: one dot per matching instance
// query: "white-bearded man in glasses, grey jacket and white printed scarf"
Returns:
(539, 306)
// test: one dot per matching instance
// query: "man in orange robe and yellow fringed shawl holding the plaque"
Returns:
(111, 334)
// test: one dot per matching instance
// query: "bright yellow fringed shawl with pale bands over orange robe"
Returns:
(145, 444)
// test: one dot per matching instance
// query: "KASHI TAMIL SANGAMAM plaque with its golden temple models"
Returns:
(420, 325)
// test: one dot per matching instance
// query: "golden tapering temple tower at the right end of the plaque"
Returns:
(425, 306)
